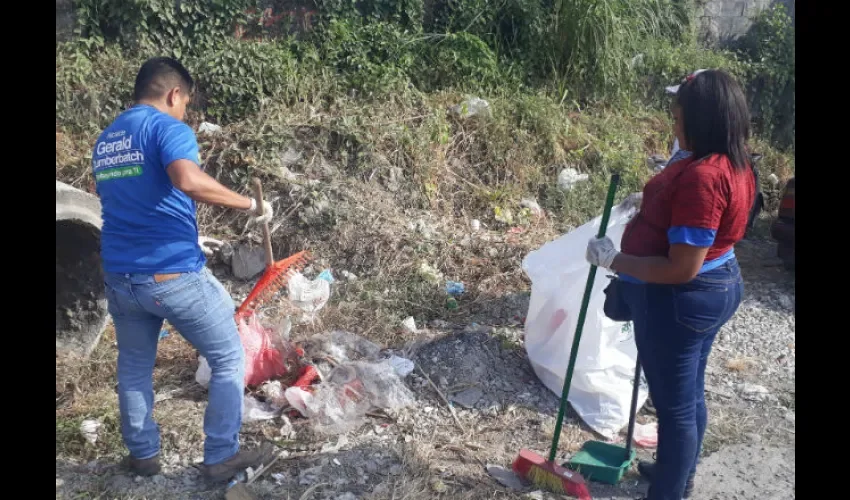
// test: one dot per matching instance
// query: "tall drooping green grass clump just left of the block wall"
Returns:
(597, 42)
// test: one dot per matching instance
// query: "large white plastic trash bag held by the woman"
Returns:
(601, 388)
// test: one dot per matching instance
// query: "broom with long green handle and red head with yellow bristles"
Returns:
(531, 466)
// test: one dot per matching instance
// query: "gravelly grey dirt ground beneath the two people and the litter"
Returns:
(421, 452)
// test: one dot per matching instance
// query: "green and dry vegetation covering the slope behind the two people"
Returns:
(571, 83)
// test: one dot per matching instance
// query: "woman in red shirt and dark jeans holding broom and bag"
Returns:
(679, 276)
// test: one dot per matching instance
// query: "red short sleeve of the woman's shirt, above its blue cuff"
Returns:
(698, 198)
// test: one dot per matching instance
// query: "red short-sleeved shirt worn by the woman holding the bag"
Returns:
(705, 193)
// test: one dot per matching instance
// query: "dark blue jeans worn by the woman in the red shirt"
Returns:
(675, 326)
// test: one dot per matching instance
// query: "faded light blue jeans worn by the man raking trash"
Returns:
(199, 307)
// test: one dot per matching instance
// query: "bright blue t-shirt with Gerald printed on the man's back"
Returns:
(149, 226)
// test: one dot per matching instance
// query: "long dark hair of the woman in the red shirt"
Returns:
(716, 117)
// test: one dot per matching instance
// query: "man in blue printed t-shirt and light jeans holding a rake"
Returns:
(148, 177)
